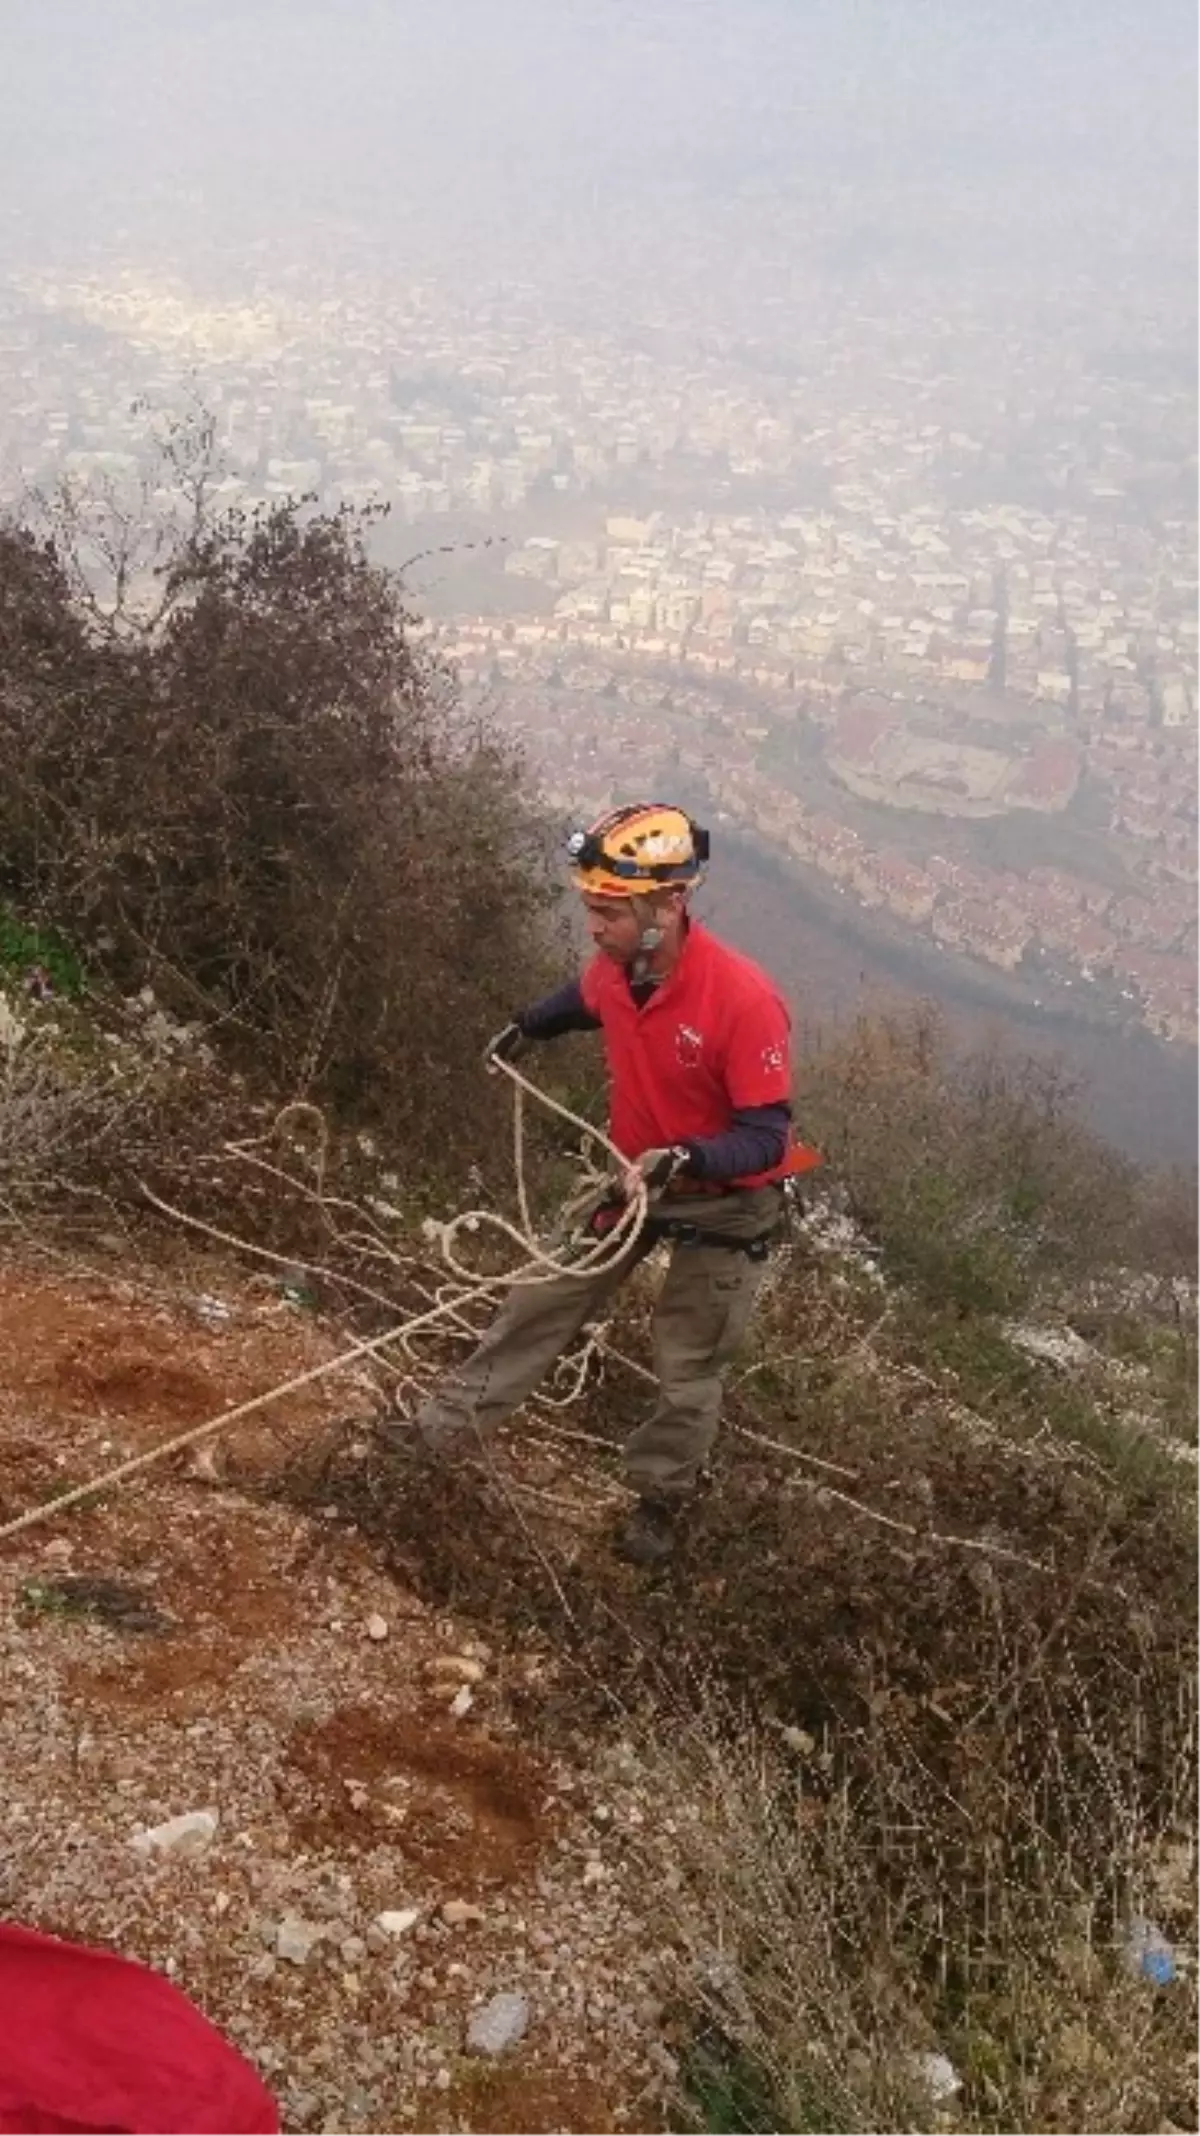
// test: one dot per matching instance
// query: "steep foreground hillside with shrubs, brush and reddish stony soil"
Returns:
(872, 1812)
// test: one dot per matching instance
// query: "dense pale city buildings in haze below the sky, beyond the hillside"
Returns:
(913, 593)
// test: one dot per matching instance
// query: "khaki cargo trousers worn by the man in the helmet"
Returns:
(699, 1321)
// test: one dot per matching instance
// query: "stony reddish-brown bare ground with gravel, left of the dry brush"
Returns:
(407, 1915)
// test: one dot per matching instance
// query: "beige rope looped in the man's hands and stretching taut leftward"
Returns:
(539, 1268)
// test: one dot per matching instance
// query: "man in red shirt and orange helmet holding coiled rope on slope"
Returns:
(697, 1043)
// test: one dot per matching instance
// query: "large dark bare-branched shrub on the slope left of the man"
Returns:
(272, 811)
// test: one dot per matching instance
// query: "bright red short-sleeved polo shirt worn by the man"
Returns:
(712, 1039)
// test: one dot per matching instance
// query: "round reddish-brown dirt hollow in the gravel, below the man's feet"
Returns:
(462, 1806)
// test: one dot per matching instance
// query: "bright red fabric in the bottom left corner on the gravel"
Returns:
(97, 2047)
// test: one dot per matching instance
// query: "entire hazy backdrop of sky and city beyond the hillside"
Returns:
(810, 388)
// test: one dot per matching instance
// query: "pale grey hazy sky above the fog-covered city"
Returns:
(268, 110)
